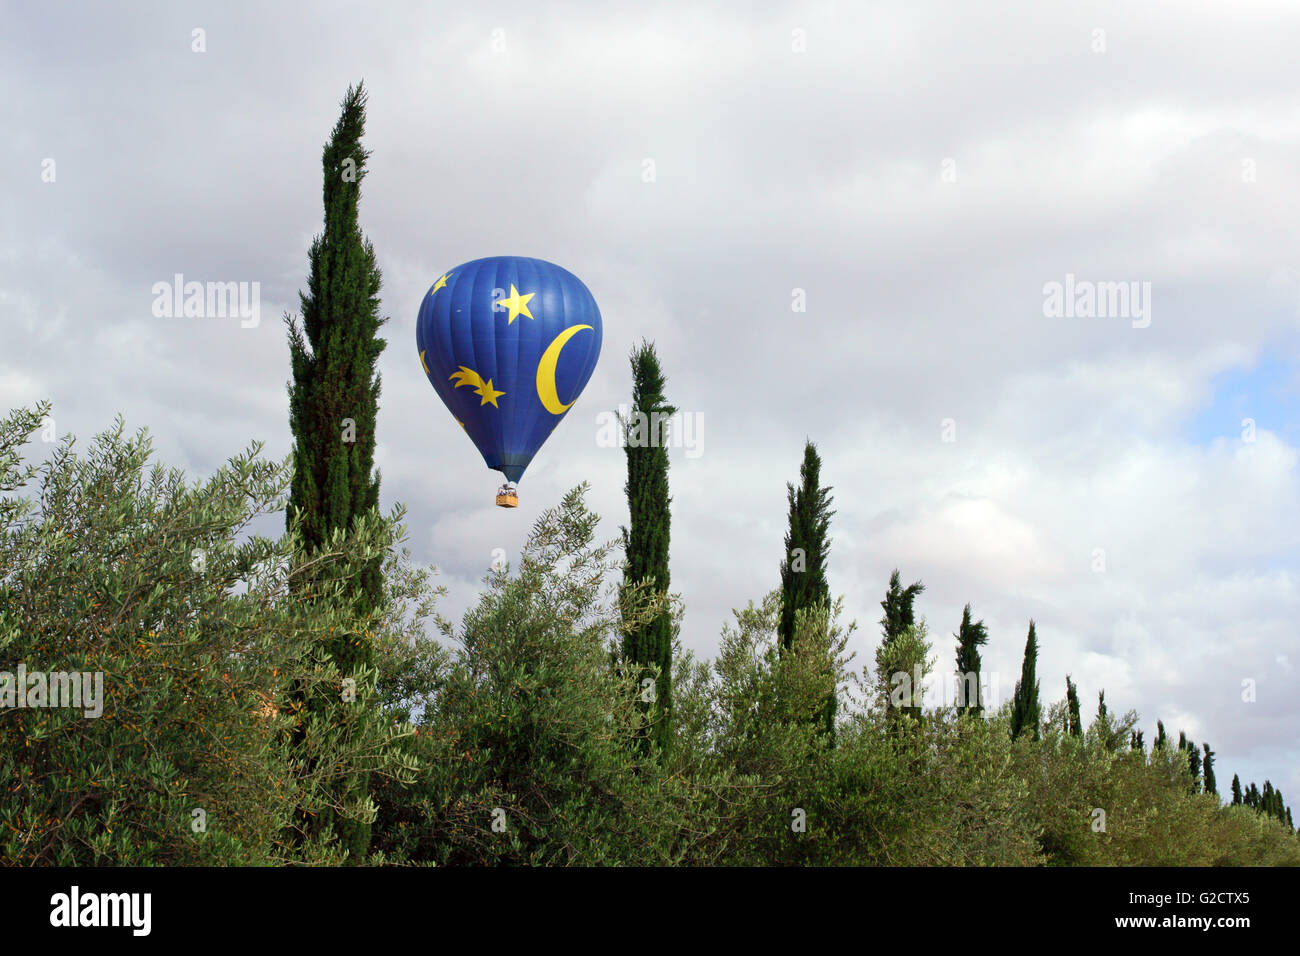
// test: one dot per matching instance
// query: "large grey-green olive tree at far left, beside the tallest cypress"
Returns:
(115, 569)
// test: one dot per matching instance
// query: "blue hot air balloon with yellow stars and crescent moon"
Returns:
(509, 344)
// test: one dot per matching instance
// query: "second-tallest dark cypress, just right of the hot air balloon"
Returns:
(647, 539)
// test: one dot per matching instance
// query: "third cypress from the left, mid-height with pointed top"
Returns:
(808, 548)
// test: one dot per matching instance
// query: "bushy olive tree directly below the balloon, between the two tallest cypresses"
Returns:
(526, 750)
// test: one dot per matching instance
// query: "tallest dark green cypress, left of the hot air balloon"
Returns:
(333, 399)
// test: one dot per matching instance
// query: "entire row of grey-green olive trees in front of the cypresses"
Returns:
(526, 747)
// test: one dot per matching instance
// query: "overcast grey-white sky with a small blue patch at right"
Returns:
(922, 172)
